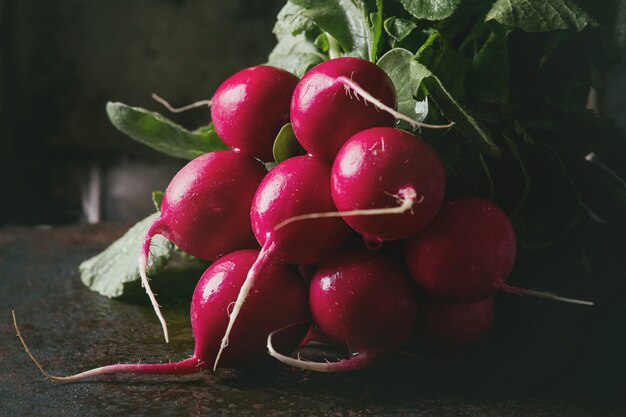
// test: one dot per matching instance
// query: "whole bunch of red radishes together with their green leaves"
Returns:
(396, 186)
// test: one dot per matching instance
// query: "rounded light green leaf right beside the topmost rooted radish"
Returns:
(397, 64)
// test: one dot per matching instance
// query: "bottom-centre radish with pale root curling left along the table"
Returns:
(362, 302)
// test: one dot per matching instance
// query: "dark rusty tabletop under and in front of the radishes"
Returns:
(69, 328)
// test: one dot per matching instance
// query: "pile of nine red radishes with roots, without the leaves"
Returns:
(360, 176)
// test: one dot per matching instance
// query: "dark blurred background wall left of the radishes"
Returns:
(60, 62)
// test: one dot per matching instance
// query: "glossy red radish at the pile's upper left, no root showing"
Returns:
(250, 107)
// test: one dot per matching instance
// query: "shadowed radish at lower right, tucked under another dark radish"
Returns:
(453, 327)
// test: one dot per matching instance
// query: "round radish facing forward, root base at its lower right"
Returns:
(377, 167)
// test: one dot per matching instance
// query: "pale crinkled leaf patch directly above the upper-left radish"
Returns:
(296, 54)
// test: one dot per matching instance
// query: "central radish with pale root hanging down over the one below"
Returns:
(297, 185)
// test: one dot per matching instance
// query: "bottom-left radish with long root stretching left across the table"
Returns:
(280, 300)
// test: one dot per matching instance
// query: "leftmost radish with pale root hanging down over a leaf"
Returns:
(205, 210)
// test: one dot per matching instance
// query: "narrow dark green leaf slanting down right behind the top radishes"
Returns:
(464, 121)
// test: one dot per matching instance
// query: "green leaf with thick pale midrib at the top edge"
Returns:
(347, 21)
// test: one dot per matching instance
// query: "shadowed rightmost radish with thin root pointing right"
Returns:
(466, 254)
